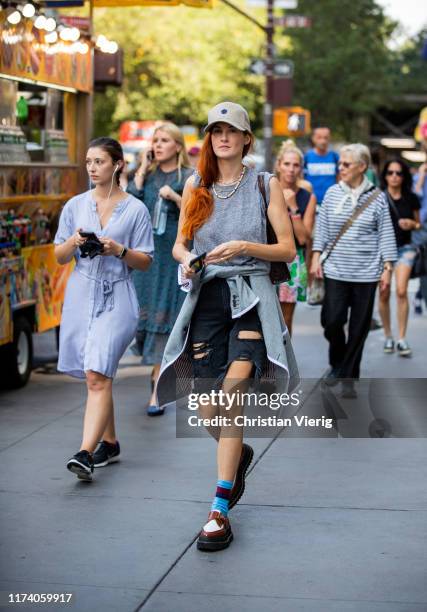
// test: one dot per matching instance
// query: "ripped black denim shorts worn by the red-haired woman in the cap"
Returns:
(216, 336)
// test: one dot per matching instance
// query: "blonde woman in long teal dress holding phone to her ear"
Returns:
(159, 183)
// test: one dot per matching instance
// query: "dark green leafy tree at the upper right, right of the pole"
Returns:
(343, 65)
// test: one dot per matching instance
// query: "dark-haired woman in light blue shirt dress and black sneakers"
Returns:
(100, 312)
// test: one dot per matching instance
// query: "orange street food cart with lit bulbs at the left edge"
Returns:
(45, 104)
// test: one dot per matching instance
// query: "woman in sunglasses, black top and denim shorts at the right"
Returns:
(404, 206)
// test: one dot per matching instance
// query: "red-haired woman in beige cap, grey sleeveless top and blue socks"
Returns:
(230, 321)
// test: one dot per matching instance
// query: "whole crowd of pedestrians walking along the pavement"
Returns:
(182, 263)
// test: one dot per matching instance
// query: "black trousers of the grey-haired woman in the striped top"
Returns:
(340, 297)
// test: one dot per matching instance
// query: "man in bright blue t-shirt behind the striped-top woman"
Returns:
(321, 164)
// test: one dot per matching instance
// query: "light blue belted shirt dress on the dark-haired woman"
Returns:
(100, 313)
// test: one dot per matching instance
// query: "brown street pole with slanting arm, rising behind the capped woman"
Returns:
(269, 75)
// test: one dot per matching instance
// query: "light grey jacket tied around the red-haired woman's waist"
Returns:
(176, 372)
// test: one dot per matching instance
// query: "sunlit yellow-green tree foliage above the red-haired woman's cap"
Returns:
(178, 63)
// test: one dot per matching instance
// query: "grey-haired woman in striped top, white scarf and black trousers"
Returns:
(363, 256)
